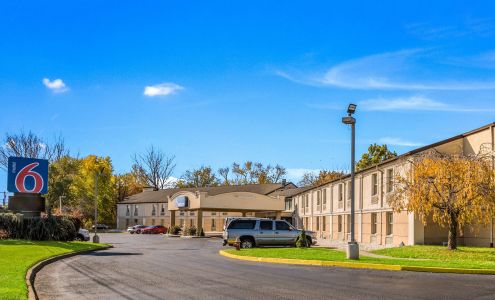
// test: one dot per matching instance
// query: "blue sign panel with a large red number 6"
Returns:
(27, 175)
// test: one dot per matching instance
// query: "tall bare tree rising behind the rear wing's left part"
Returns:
(154, 167)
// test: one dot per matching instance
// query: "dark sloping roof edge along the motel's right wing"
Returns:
(412, 152)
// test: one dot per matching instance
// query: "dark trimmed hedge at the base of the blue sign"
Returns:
(46, 228)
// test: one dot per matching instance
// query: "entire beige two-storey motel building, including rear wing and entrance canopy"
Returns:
(324, 209)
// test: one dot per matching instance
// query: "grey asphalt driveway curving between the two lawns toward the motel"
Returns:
(153, 267)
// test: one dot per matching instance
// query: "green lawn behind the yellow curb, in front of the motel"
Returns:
(422, 256)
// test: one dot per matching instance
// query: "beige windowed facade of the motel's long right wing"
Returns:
(326, 208)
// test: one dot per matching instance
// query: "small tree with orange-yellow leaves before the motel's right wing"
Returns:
(455, 190)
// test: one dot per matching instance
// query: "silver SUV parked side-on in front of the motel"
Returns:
(252, 232)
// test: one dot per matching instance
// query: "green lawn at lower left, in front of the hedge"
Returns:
(17, 256)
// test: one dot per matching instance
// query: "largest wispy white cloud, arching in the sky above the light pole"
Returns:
(390, 71)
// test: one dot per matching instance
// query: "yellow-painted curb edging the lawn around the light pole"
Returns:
(355, 265)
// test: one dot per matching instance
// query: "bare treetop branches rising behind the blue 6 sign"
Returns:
(30, 145)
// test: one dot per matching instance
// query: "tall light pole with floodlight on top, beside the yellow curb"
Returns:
(352, 245)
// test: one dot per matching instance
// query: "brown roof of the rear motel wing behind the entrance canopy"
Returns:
(159, 196)
